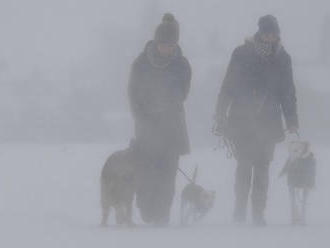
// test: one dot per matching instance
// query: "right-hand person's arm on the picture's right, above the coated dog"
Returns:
(288, 99)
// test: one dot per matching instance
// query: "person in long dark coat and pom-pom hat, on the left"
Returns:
(159, 85)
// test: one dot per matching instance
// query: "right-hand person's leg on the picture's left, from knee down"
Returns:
(242, 189)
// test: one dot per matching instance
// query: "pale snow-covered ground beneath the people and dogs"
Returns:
(49, 197)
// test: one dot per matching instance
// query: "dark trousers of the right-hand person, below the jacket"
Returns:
(252, 176)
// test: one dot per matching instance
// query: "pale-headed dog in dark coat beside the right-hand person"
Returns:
(300, 169)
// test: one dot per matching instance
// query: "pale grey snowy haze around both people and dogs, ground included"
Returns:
(64, 71)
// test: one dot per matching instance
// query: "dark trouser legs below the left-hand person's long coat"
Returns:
(156, 188)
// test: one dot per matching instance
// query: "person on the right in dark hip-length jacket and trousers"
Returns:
(257, 91)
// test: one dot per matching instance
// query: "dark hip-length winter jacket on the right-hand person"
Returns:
(255, 94)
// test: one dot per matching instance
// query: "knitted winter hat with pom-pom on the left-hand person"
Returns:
(168, 31)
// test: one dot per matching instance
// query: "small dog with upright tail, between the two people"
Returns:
(195, 202)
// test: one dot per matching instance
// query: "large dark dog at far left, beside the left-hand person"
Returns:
(118, 186)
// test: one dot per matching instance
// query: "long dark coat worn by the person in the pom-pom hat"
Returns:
(157, 90)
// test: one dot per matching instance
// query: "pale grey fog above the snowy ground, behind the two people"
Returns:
(67, 62)
